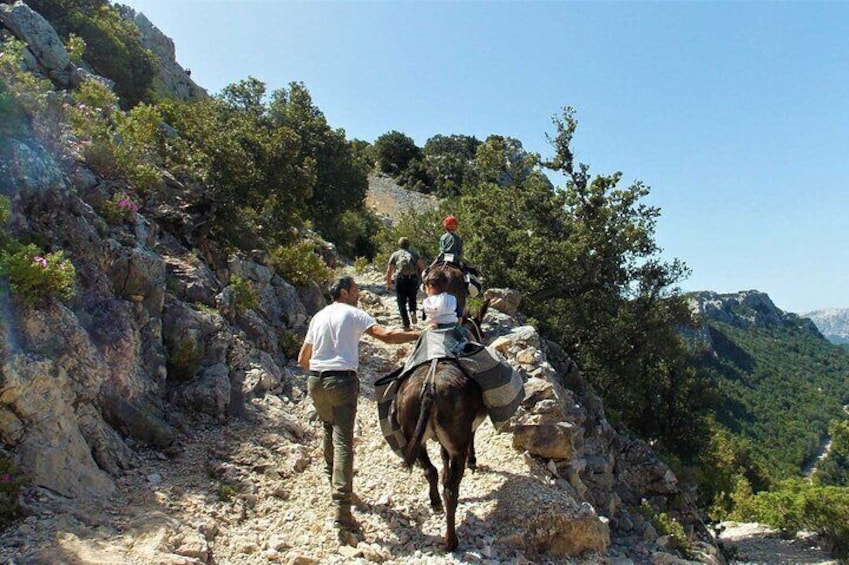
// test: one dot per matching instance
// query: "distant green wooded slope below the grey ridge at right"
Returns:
(781, 387)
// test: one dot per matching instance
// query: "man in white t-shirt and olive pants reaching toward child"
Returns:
(331, 355)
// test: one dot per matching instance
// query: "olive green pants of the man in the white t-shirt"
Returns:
(335, 400)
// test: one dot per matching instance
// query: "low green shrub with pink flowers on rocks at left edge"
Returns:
(36, 277)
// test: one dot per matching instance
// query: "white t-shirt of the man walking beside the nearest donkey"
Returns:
(334, 333)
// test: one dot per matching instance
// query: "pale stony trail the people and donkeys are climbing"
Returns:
(253, 491)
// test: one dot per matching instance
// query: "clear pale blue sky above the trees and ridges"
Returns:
(736, 114)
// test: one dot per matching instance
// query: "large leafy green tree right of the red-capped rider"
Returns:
(586, 259)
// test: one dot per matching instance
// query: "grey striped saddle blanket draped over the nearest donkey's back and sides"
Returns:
(502, 387)
